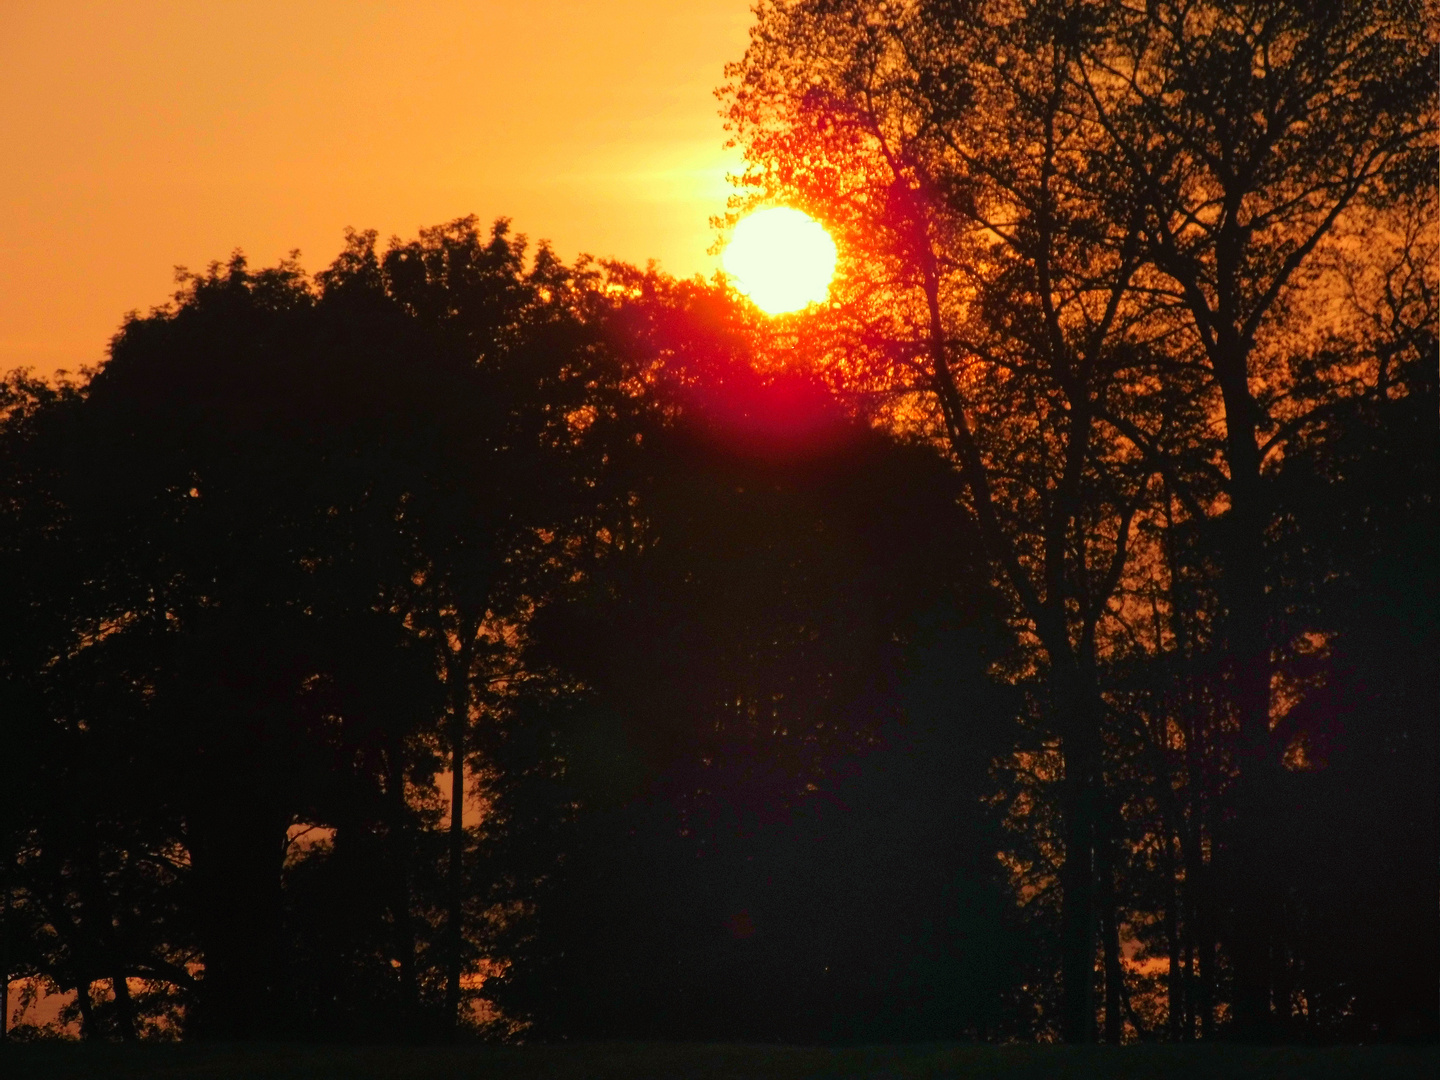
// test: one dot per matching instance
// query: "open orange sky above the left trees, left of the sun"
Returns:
(139, 136)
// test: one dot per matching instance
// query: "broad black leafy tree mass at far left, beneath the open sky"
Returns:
(264, 512)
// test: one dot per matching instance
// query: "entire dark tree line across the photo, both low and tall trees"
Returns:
(1039, 642)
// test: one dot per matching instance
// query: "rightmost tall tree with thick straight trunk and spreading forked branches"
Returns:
(1251, 133)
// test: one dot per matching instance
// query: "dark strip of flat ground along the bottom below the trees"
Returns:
(676, 1062)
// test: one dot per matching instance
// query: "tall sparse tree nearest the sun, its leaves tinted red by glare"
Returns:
(987, 297)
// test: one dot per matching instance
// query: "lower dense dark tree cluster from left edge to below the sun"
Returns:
(312, 561)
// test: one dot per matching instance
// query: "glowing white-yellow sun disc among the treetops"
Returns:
(783, 260)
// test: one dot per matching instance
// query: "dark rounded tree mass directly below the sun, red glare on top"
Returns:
(768, 840)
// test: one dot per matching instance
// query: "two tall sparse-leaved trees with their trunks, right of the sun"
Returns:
(1099, 240)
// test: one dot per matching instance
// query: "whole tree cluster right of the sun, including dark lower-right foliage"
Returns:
(1131, 269)
